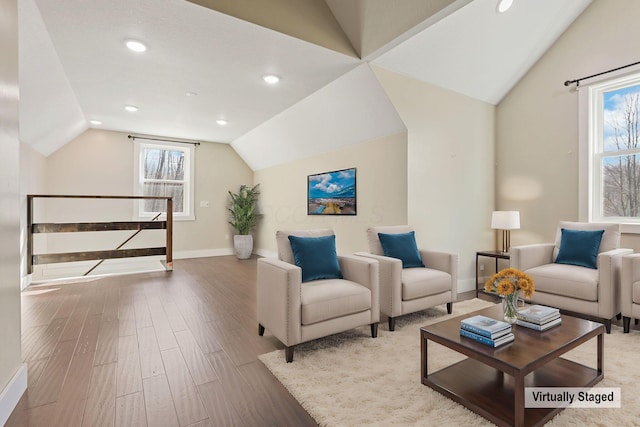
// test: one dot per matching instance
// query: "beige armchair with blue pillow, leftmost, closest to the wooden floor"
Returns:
(299, 304)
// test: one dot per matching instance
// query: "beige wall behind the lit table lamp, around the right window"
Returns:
(537, 122)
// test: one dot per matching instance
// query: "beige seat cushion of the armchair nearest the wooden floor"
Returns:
(328, 299)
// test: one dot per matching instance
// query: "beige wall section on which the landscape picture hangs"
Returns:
(381, 181)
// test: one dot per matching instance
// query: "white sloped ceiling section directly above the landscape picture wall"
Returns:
(351, 109)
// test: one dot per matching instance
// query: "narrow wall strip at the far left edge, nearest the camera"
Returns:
(10, 351)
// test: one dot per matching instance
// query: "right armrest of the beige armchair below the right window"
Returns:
(609, 266)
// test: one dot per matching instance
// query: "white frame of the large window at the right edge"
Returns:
(590, 122)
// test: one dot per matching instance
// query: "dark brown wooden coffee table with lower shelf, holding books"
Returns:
(532, 360)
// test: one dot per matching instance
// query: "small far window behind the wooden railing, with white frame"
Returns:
(164, 170)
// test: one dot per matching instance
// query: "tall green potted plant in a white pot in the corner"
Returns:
(243, 217)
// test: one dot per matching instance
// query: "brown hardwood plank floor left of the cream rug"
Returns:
(154, 349)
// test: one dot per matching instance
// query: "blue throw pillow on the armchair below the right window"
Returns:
(579, 247)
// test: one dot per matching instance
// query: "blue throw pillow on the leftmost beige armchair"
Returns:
(316, 256)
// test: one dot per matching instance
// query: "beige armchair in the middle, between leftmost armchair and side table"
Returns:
(407, 290)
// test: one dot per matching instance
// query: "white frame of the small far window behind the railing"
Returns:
(189, 179)
